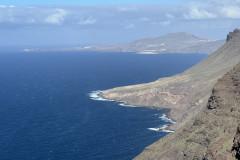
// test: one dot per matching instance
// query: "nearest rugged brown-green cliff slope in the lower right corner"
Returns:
(214, 134)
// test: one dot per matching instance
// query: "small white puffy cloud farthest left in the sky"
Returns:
(56, 18)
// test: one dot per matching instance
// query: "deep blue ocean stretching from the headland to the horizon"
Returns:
(48, 110)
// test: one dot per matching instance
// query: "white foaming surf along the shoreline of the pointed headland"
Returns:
(96, 95)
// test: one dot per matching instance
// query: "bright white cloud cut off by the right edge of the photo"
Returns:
(231, 12)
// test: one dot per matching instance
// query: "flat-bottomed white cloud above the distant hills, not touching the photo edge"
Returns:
(197, 14)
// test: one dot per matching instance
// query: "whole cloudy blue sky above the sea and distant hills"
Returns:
(90, 22)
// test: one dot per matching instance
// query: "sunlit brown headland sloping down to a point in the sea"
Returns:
(187, 93)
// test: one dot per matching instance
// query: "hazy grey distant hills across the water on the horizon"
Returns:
(170, 43)
